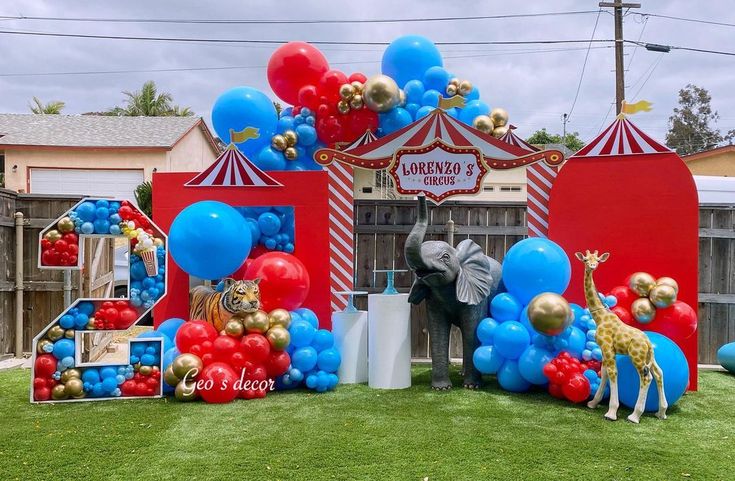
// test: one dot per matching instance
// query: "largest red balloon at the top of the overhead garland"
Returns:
(294, 65)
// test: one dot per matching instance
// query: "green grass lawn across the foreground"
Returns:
(357, 433)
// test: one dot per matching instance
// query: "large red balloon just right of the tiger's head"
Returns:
(284, 281)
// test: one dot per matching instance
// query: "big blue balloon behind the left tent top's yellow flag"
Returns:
(243, 107)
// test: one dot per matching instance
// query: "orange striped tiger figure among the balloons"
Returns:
(218, 307)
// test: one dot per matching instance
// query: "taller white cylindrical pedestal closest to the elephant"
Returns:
(389, 341)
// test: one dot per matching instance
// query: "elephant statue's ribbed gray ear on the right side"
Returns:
(474, 281)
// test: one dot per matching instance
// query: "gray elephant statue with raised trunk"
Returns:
(456, 285)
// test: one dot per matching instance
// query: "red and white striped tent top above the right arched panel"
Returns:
(621, 138)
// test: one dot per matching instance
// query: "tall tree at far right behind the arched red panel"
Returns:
(690, 128)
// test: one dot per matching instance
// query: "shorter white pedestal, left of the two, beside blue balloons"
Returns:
(350, 338)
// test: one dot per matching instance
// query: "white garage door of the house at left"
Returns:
(93, 182)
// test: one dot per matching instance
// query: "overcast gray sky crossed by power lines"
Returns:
(535, 86)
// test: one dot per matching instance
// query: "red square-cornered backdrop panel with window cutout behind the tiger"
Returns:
(307, 192)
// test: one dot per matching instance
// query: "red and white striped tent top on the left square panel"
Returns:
(232, 169)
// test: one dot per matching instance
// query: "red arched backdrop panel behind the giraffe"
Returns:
(644, 210)
